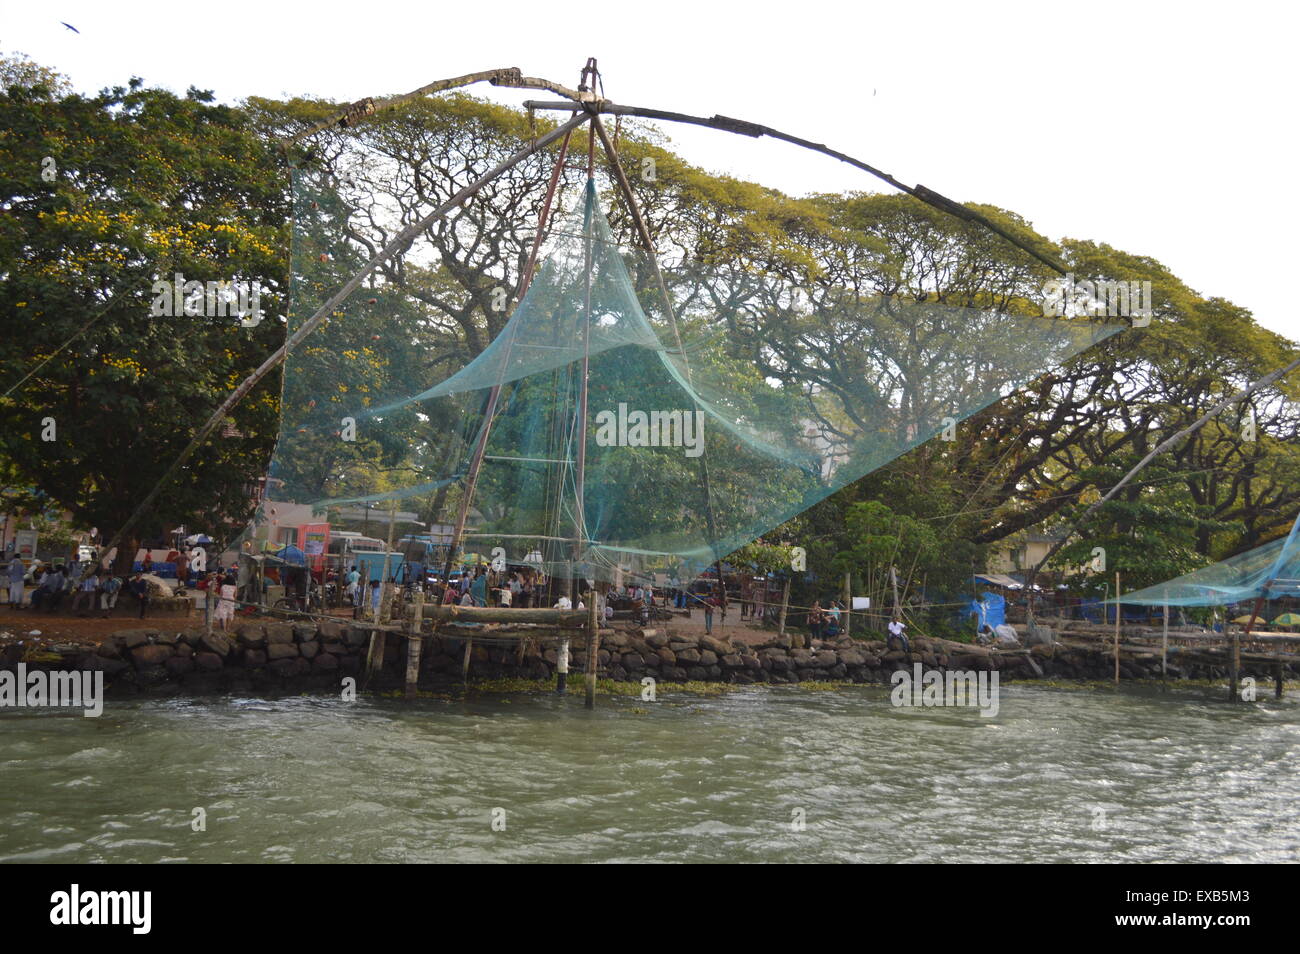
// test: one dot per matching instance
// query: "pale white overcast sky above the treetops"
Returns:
(1163, 129)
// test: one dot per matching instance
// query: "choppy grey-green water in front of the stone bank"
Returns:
(1058, 777)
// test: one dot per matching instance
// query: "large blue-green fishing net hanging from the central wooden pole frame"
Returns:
(720, 404)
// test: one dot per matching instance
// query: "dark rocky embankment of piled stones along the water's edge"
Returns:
(274, 656)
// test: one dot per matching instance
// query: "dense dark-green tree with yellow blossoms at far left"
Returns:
(103, 197)
